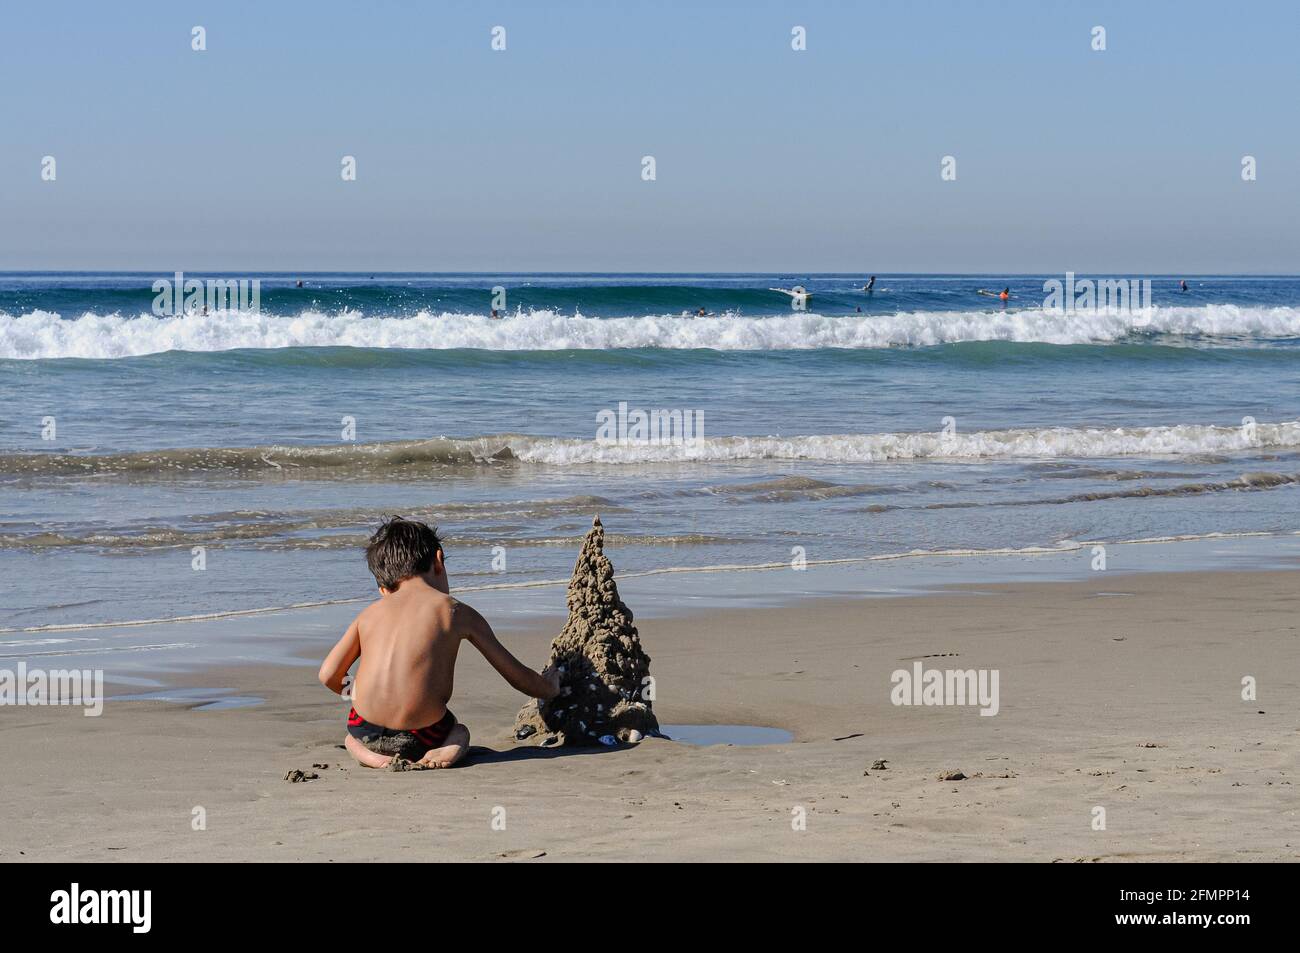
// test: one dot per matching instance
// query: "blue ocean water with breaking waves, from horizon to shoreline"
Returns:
(202, 465)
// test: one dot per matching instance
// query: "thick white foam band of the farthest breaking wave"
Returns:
(42, 335)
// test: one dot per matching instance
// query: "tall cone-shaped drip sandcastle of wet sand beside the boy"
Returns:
(603, 666)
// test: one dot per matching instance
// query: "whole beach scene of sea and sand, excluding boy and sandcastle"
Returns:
(1050, 556)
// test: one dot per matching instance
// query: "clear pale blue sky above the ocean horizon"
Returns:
(1117, 162)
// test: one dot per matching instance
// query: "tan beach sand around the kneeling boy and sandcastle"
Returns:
(1119, 692)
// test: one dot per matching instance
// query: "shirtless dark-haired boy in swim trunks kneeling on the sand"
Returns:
(408, 647)
